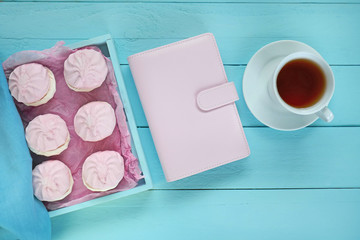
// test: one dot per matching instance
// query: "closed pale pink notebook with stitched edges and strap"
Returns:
(190, 106)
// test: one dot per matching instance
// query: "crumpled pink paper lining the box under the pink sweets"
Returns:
(65, 103)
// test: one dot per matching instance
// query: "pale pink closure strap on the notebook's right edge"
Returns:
(216, 97)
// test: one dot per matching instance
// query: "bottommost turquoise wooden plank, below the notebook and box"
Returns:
(252, 214)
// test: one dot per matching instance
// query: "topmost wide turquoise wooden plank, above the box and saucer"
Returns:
(240, 28)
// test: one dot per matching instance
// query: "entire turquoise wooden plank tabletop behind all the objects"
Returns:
(295, 185)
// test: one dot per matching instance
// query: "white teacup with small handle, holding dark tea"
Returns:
(320, 106)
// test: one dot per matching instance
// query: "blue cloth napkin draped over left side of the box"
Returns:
(21, 214)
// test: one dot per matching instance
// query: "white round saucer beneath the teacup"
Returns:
(258, 73)
